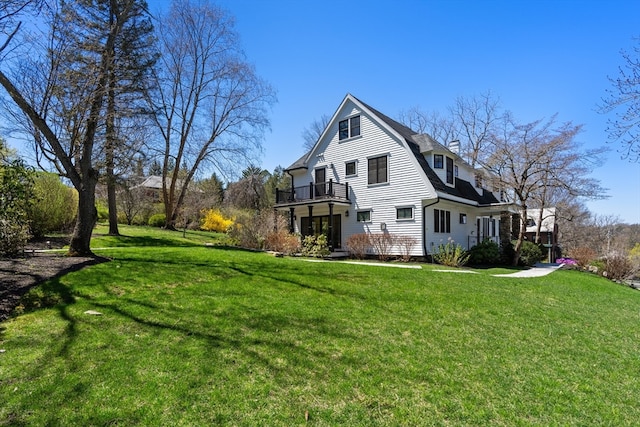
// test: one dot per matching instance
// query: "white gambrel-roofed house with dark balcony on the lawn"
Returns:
(368, 173)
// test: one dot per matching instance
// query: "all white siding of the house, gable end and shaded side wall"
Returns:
(407, 185)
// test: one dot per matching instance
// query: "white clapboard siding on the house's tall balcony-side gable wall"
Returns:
(406, 186)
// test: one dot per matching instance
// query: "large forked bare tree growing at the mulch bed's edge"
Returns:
(64, 109)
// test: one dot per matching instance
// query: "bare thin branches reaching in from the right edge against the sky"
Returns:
(624, 100)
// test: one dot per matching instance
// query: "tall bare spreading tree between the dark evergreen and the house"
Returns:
(211, 106)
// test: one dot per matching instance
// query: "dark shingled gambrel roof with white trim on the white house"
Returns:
(417, 143)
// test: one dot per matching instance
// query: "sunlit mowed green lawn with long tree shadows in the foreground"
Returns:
(194, 335)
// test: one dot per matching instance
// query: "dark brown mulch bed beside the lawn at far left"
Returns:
(19, 275)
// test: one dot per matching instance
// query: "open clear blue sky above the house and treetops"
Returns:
(538, 57)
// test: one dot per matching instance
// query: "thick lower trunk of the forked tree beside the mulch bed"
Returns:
(87, 216)
